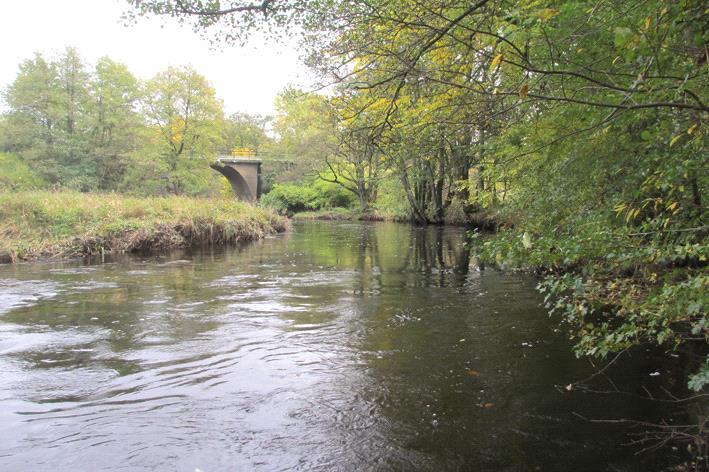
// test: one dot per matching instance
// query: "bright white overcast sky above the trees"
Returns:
(246, 78)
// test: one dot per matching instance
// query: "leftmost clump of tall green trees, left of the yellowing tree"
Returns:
(73, 127)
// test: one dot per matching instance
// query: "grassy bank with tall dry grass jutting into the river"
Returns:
(69, 224)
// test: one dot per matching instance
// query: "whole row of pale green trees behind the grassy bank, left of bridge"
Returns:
(99, 128)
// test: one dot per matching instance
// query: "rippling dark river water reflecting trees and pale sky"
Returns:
(336, 346)
